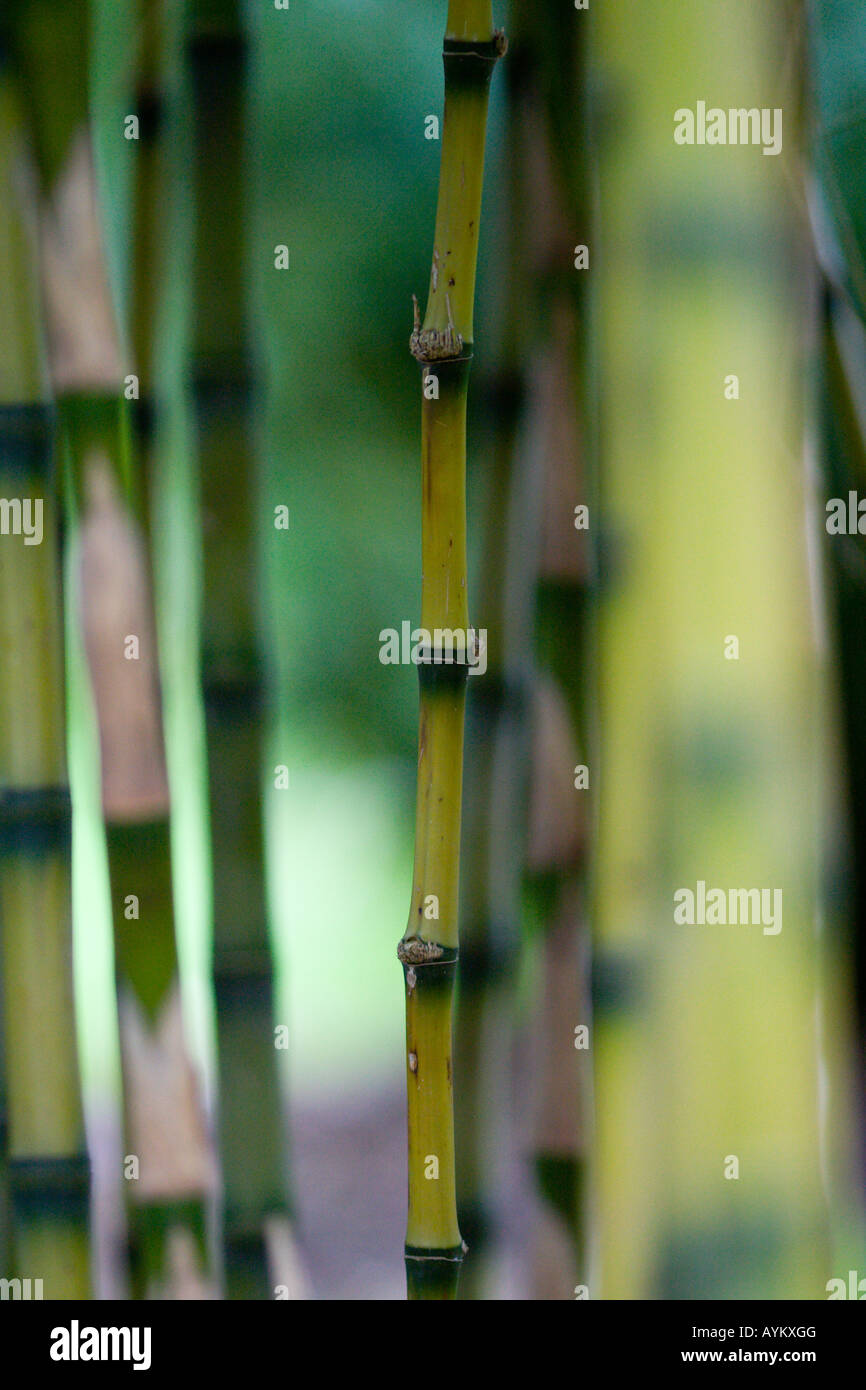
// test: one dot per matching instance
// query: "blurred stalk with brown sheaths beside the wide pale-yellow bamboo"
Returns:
(555, 151)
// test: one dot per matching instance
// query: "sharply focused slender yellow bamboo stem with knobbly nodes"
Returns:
(444, 345)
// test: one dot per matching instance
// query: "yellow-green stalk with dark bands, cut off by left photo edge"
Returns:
(44, 1142)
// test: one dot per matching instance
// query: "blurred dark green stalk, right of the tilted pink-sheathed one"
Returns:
(258, 1213)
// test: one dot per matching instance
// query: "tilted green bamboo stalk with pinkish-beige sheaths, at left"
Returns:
(165, 1124)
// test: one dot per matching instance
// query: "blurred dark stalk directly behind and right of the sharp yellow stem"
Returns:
(496, 797)
